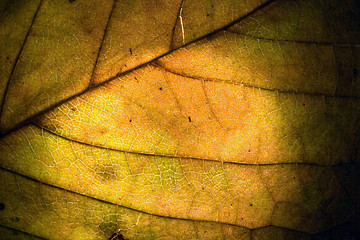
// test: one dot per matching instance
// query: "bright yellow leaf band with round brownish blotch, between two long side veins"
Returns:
(183, 188)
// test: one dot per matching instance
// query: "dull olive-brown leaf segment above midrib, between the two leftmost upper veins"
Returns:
(57, 58)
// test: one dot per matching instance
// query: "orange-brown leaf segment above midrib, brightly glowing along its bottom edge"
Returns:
(138, 32)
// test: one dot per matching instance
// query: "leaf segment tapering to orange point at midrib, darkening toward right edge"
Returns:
(270, 64)
